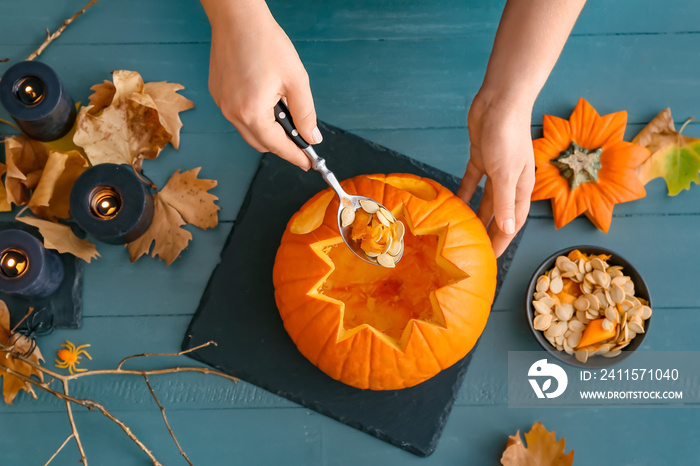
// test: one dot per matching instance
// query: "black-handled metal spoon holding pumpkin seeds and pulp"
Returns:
(368, 228)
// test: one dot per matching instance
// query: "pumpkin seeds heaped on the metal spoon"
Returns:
(392, 232)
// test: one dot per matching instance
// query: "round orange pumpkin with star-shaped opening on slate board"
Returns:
(378, 328)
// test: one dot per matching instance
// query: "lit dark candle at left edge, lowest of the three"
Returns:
(27, 268)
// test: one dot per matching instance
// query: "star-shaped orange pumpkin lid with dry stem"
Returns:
(585, 167)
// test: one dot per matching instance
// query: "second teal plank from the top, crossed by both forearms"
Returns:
(418, 84)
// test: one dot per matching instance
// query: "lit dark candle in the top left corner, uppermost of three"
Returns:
(36, 99)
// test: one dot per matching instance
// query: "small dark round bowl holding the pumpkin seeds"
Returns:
(641, 291)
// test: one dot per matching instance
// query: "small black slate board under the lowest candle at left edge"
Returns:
(61, 309)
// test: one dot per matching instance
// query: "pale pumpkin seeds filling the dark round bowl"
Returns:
(605, 292)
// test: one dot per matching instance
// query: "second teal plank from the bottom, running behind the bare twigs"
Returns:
(113, 338)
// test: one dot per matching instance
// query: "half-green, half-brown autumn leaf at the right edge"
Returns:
(674, 157)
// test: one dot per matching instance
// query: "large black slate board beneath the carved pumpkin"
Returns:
(238, 310)
